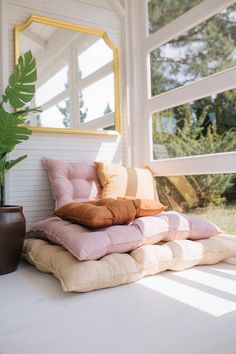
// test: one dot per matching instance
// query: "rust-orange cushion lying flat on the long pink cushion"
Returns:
(108, 211)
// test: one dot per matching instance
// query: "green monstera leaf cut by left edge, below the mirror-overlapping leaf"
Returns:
(11, 131)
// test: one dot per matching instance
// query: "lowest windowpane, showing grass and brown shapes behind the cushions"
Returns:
(210, 196)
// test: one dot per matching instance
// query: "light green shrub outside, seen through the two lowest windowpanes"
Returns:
(193, 138)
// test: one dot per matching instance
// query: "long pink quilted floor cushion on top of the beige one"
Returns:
(86, 244)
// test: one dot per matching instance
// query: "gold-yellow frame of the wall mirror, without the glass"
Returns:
(84, 29)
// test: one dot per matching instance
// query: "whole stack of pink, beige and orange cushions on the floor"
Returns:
(91, 252)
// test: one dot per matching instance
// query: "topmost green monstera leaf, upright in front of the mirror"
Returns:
(21, 86)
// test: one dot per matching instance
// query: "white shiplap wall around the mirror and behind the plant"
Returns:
(27, 183)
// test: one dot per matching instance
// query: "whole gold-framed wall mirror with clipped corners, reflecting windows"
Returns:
(78, 76)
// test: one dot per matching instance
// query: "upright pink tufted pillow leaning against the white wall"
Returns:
(72, 181)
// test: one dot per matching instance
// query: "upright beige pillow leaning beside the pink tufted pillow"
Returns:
(119, 181)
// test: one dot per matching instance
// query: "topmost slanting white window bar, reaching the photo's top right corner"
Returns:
(188, 20)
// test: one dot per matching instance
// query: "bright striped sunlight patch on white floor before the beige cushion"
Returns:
(192, 295)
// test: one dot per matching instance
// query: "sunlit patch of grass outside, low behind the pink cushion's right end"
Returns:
(223, 216)
